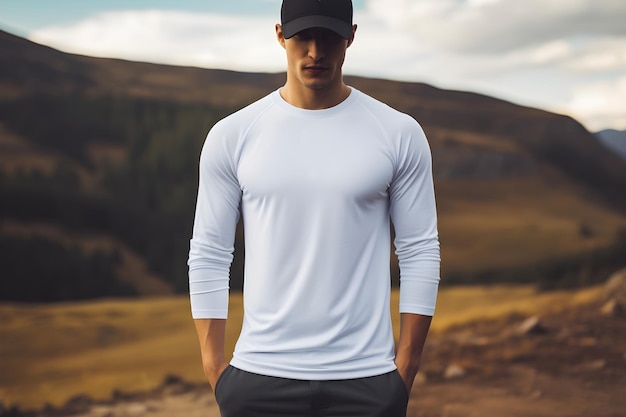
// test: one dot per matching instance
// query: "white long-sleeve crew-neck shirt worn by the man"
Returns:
(316, 189)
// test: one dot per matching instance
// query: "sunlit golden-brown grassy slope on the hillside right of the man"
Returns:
(504, 224)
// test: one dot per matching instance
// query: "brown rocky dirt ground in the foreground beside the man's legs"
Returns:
(569, 363)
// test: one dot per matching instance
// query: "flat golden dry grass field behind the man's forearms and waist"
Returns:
(51, 352)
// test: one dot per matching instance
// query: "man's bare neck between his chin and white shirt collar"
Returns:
(311, 99)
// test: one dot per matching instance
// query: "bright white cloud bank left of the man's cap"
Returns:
(208, 40)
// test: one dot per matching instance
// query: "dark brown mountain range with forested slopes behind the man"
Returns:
(98, 177)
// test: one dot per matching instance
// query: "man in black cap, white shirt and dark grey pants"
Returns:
(316, 169)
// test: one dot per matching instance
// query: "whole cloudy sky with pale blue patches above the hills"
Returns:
(566, 56)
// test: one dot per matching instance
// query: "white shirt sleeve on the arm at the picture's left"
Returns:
(217, 212)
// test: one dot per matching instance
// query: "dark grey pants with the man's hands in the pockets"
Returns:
(244, 394)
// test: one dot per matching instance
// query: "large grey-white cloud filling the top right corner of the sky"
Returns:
(495, 26)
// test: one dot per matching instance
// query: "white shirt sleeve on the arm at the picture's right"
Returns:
(414, 217)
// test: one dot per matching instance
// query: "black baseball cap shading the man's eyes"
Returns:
(298, 15)
